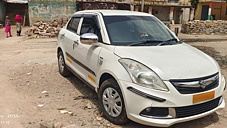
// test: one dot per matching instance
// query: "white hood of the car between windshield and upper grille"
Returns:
(179, 61)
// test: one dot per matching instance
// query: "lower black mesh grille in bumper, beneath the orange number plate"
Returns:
(196, 109)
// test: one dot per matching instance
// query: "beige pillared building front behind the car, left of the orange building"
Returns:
(173, 11)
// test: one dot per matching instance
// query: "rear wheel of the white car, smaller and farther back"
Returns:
(62, 66)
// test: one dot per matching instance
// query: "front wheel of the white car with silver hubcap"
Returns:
(115, 117)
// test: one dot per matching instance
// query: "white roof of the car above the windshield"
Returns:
(114, 12)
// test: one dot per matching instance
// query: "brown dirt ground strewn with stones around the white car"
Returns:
(34, 95)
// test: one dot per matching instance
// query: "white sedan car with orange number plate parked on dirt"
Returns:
(140, 70)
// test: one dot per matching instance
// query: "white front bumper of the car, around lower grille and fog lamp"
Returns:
(141, 98)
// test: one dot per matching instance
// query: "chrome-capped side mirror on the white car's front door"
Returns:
(88, 38)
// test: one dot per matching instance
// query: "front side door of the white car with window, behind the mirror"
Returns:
(86, 56)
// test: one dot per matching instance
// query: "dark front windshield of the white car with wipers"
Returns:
(138, 31)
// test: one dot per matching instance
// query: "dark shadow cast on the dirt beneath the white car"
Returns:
(90, 94)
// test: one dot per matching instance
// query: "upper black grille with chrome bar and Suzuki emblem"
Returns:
(190, 86)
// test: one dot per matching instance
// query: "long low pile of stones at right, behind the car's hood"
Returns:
(205, 27)
